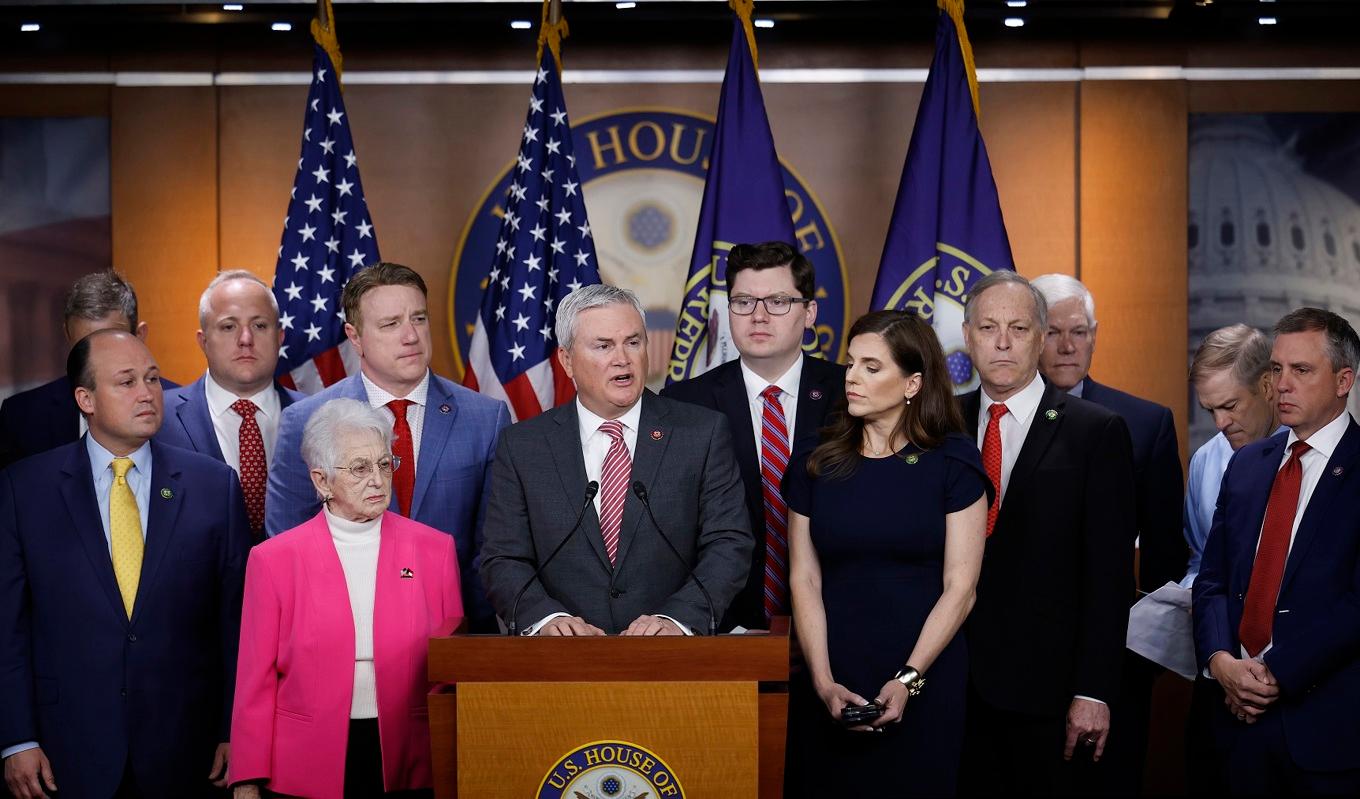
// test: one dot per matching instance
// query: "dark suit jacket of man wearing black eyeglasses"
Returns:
(821, 389)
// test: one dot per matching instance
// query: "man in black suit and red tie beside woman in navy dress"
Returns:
(1047, 634)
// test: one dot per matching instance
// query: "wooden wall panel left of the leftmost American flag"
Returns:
(165, 213)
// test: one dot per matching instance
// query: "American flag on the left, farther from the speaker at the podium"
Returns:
(327, 238)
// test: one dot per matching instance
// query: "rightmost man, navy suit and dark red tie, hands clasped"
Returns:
(1278, 599)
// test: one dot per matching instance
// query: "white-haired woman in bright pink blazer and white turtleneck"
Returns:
(331, 681)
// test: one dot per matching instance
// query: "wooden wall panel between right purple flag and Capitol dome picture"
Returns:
(1134, 236)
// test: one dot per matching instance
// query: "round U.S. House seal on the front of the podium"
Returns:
(610, 770)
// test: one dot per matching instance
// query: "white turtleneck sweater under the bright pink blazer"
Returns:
(357, 543)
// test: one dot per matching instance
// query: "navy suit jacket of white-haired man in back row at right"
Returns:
(1163, 555)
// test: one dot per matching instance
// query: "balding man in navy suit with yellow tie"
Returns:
(122, 569)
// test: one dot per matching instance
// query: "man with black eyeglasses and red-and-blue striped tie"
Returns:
(776, 399)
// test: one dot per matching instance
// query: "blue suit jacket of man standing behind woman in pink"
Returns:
(458, 445)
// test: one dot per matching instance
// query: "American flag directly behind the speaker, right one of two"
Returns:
(545, 253)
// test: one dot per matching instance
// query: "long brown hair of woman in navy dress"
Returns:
(932, 415)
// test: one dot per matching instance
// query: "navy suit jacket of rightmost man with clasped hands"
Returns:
(1316, 650)
